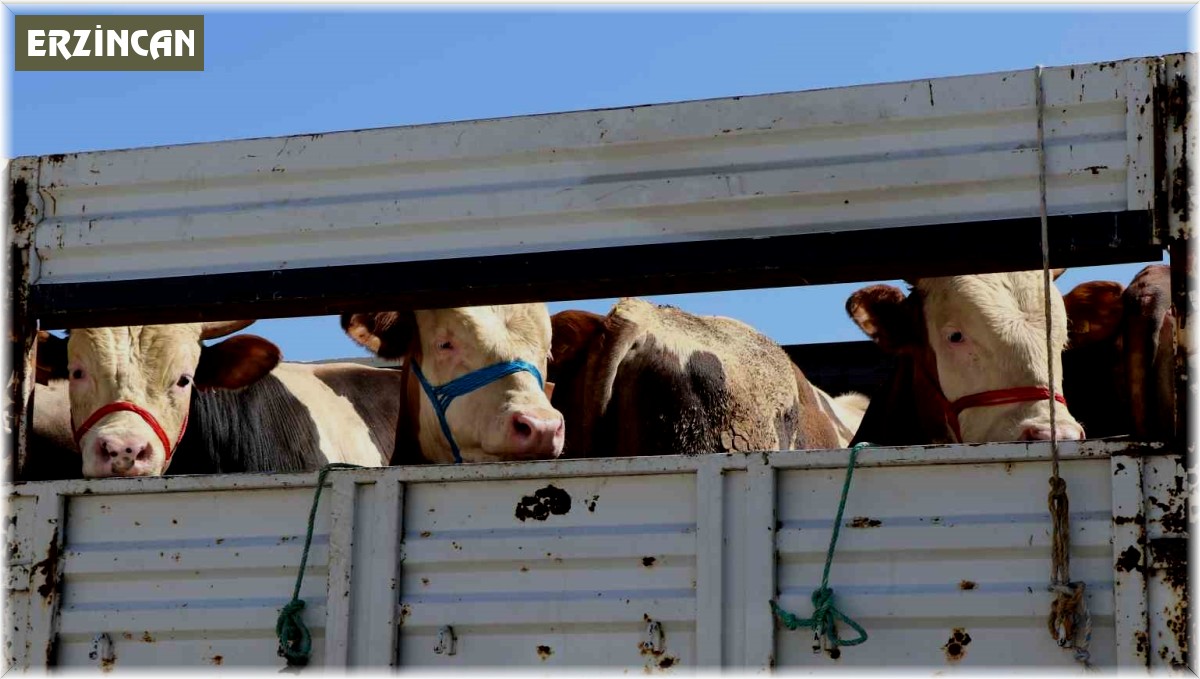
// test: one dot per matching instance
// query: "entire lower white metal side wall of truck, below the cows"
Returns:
(657, 564)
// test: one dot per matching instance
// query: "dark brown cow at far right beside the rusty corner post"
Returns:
(1120, 363)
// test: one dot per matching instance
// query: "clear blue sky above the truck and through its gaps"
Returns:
(280, 71)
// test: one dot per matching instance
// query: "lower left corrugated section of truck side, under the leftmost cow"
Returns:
(188, 579)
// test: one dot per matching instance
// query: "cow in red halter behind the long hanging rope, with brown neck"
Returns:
(970, 360)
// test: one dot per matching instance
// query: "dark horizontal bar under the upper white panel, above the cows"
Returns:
(733, 265)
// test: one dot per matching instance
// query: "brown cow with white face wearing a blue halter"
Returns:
(472, 381)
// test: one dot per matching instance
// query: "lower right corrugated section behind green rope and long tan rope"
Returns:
(929, 551)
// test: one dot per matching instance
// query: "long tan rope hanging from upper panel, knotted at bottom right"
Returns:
(1070, 622)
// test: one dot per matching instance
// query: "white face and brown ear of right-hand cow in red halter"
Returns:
(979, 334)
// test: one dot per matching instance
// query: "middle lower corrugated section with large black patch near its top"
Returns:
(577, 581)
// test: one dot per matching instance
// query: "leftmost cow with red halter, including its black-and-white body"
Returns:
(145, 400)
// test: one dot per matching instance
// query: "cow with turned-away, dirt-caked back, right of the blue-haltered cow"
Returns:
(653, 380)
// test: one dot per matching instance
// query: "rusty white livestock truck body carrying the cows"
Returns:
(664, 564)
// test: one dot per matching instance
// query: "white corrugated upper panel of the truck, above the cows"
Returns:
(920, 153)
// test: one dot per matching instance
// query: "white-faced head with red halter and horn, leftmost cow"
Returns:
(131, 387)
